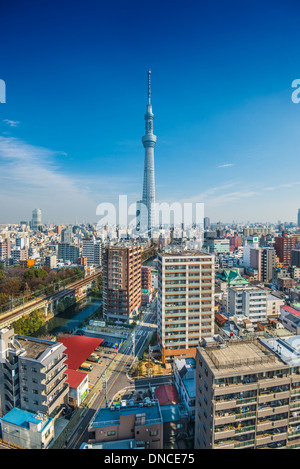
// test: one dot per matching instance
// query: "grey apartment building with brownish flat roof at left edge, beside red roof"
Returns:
(32, 373)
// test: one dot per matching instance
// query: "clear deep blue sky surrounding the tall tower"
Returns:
(228, 133)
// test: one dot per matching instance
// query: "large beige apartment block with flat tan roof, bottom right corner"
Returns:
(248, 395)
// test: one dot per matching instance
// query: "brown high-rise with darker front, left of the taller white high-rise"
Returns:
(121, 282)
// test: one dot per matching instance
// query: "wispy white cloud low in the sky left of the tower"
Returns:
(31, 176)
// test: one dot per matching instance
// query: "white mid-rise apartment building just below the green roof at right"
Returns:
(249, 302)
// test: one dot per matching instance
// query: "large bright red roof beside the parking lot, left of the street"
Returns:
(79, 348)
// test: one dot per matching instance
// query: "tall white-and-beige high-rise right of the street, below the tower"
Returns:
(185, 306)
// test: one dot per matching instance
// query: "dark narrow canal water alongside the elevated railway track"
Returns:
(71, 318)
